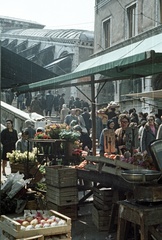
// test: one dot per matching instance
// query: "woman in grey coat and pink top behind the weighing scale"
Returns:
(148, 135)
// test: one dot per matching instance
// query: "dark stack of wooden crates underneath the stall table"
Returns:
(101, 209)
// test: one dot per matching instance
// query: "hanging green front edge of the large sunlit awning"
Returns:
(99, 69)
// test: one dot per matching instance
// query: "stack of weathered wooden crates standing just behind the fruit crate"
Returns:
(62, 191)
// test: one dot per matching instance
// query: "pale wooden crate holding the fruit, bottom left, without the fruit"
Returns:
(14, 228)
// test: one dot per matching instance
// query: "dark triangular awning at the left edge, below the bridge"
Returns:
(17, 70)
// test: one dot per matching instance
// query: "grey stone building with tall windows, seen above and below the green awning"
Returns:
(123, 22)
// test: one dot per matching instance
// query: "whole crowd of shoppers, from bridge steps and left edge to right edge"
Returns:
(132, 130)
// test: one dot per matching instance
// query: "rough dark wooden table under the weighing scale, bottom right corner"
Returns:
(146, 217)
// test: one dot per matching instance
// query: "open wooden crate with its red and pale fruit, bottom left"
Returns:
(47, 223)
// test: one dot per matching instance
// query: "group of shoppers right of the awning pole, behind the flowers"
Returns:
(135, 131)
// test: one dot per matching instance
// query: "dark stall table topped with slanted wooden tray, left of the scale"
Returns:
(106, 172)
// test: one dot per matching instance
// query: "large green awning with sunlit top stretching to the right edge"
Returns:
(140, 59)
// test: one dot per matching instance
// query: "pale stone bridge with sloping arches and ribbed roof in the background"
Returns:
(59, 51)
